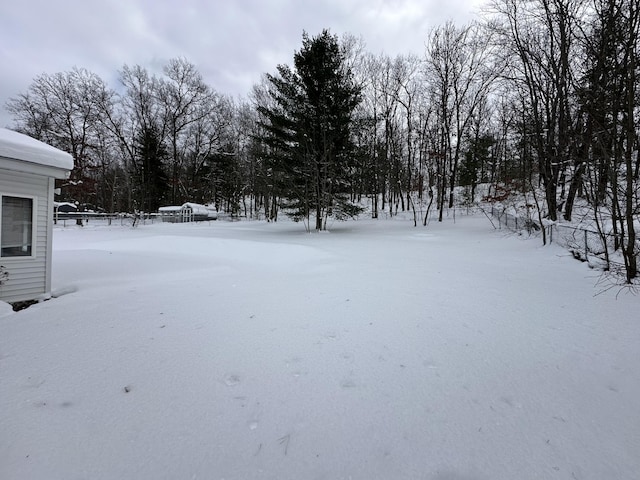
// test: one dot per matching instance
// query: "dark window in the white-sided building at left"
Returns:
(17, 227)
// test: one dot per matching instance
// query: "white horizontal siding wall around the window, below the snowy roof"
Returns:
(29, 277)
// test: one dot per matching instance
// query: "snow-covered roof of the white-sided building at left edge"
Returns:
(22, 147)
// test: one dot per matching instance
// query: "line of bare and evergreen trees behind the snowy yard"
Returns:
(540, 97)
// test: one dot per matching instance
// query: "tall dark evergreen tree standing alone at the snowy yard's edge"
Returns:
(309, 130)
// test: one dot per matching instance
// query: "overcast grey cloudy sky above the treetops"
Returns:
(232, 42)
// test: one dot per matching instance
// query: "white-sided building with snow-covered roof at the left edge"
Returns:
(28, 169)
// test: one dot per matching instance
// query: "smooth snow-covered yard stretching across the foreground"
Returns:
(376, 351)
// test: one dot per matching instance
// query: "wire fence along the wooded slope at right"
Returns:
(584, 244)
